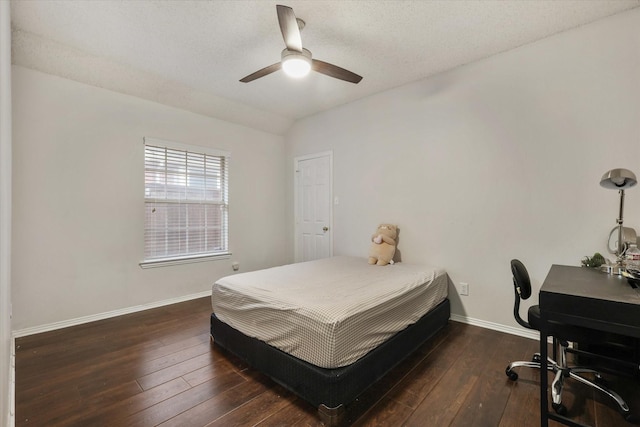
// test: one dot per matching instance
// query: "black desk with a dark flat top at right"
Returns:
(589, 298)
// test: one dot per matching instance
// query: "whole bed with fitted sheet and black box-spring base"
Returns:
(328, 329)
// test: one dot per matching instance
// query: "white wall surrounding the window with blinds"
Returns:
(78, 204)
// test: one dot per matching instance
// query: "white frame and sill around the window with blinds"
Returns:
(225, 253)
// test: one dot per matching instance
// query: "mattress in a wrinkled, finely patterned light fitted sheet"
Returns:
(328, 312)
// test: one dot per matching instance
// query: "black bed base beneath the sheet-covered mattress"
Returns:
(330, 390)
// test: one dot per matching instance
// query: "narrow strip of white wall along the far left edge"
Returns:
(6, 384)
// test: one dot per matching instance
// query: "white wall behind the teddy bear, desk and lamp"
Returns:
(494, 160)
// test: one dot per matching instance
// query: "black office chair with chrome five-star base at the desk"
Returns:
(561, 334)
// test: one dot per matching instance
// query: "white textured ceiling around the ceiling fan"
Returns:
(191, 54)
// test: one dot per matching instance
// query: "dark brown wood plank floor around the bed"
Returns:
(158, 367)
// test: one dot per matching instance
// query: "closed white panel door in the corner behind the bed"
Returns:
(313, 234)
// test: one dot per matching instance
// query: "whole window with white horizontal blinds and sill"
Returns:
(186, 203)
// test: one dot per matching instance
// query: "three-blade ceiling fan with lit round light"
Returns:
(297, 61)
